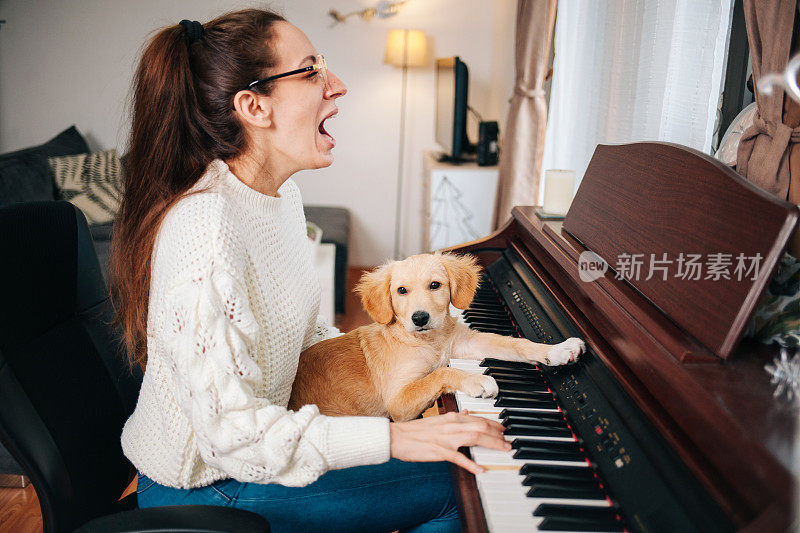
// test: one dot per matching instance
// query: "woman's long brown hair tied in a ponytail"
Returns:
(183, 118)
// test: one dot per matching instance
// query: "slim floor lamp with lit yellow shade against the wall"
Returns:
(404, 48)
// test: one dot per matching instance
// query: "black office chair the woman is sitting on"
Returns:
(65, 388)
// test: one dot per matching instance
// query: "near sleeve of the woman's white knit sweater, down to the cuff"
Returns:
(209, 337)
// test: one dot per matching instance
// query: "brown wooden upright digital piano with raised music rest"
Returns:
(668, 421)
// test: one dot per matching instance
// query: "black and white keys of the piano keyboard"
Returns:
(546, 482)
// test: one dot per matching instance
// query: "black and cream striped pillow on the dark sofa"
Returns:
(92, 182)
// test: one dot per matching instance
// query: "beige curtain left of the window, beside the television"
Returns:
(526, 124)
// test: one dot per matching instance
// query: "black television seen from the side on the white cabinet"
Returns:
(452, 81)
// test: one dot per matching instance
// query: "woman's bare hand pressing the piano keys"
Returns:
(437, 438)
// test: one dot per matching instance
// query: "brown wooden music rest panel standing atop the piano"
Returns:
(654, 204)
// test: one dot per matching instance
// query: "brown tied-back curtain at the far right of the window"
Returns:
(763, 156)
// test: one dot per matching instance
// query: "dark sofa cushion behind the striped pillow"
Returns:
(25, 175)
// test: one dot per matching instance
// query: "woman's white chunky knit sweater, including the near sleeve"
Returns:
(234, 298)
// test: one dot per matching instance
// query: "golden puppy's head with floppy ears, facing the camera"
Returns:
(417, 291)
